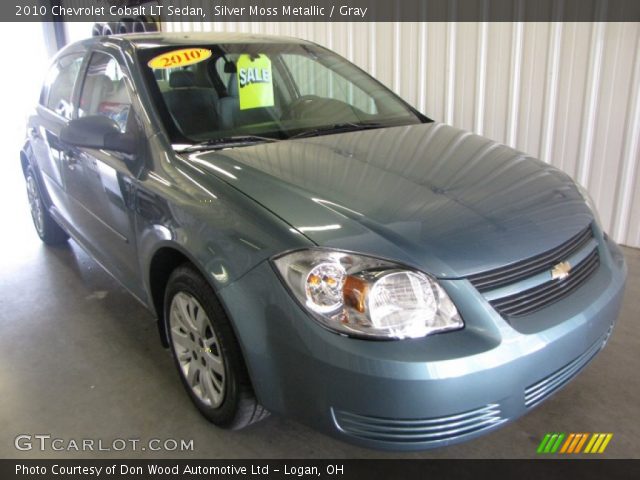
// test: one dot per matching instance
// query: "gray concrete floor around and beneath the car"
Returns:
(80, 358)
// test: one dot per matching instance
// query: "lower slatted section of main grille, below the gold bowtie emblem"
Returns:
(533, 299)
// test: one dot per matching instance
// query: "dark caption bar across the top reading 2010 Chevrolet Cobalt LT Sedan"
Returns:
(323, 10)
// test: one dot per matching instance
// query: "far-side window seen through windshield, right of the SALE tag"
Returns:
(313, 78)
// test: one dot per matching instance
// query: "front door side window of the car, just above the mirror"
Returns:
(104, 91)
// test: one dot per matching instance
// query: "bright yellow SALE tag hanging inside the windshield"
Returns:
(255, 82)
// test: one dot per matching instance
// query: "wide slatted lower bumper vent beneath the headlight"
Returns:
(418, 430)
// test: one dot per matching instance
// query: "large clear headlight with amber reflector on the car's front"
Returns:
(363, 296)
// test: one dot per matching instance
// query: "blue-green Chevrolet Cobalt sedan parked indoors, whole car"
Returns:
(314, 246)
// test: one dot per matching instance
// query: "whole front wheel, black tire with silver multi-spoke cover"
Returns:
(207, 353)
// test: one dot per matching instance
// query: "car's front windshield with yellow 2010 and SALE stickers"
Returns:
(252, 92)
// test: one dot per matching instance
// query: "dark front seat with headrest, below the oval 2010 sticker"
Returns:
(193, 108)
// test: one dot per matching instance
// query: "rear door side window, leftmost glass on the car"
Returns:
(56, 94)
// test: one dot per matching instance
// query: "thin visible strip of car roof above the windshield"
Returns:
(158, 39)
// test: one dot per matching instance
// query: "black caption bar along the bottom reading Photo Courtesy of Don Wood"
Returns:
(584, 469)
